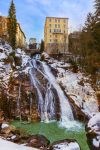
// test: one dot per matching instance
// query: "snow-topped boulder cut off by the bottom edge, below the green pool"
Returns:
(65, 145)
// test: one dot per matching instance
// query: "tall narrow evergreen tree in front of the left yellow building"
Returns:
(12, 25)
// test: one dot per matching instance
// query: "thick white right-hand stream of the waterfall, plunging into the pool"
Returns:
(66, 111)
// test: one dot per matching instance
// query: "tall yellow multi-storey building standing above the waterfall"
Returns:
(56, 35)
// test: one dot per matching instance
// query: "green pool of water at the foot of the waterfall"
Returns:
(54, 131)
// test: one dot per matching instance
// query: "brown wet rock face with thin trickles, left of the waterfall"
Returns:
(20, 101)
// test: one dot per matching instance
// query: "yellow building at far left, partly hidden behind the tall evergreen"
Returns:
(20, 36)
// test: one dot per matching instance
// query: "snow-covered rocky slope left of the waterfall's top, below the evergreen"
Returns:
(7, 61)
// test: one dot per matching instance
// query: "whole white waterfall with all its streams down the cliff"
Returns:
(46, 103)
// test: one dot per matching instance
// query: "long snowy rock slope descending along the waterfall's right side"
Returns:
(83, 95)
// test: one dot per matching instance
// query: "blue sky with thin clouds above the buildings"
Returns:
(31, 13)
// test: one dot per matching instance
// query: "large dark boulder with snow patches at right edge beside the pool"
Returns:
(93, 132)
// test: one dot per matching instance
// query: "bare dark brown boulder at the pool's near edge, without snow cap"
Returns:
(38, 141)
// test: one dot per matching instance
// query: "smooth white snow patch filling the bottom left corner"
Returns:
(6, 145)
